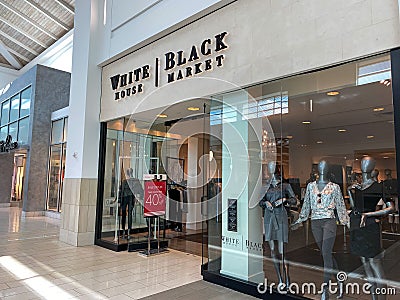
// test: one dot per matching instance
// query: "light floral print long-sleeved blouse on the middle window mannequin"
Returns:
(323, 203)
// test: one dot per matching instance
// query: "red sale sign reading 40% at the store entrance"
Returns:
(154, 198)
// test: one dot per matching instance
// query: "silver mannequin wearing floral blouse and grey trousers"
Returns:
(321, 199)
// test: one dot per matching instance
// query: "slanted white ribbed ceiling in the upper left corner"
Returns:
(29, 27)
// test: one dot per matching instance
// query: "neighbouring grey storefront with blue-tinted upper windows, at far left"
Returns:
(27, 104)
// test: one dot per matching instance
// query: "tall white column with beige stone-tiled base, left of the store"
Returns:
(80, 185)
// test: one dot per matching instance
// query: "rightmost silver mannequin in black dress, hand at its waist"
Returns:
(365, 231)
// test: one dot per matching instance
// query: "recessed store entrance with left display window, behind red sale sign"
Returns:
(176, 142)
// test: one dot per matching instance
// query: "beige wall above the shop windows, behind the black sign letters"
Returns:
(267, 40)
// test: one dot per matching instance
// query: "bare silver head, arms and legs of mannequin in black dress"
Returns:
(372, 266)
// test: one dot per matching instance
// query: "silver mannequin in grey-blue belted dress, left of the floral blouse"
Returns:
(276, 219)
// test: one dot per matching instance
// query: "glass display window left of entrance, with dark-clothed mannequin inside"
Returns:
(128, 158)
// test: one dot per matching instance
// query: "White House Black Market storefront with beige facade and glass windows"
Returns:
(231, 117)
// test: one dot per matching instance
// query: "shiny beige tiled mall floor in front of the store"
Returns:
(35, 265)
